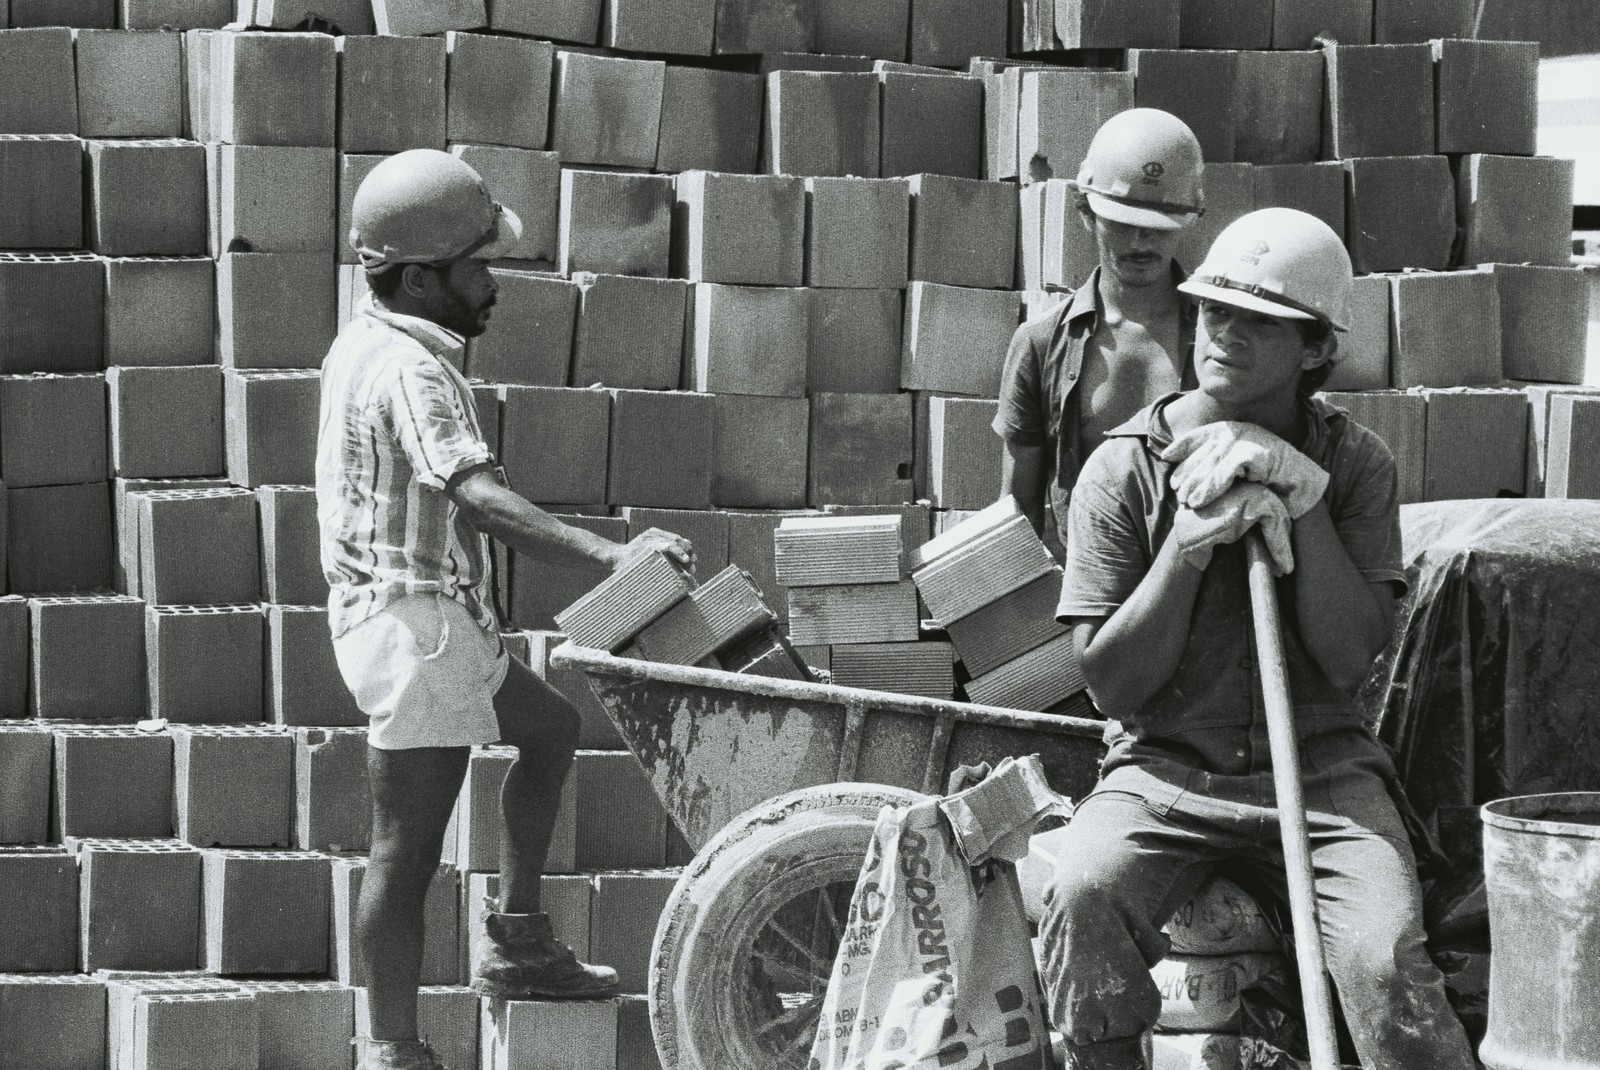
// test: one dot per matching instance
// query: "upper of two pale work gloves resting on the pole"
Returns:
(1212, 458)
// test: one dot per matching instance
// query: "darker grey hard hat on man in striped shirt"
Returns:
(428, 207)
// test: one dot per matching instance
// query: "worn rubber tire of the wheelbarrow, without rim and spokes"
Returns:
(761, 861)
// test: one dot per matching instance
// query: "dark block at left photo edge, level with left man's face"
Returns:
(52, 313)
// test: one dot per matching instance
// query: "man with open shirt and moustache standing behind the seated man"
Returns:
(1126, 337)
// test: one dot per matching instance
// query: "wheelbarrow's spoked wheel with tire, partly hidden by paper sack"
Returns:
(746, 944)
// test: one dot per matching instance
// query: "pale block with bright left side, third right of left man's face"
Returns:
(748, 340)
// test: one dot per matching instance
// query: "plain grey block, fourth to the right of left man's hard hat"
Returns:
(857, 233)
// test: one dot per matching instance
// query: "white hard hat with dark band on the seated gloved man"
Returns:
(1282, 263)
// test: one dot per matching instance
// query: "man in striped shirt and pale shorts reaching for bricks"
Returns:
(407, 497)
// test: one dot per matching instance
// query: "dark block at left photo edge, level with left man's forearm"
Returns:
(58, 538)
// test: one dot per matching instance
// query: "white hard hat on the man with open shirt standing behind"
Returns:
(1143, 169)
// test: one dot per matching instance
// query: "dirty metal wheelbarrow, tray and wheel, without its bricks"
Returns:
(778, 785)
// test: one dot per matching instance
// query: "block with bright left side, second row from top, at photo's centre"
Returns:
(822, 124)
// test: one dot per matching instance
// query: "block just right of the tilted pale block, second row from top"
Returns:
(711, 121)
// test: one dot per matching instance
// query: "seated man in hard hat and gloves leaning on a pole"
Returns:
(1156, 593)
